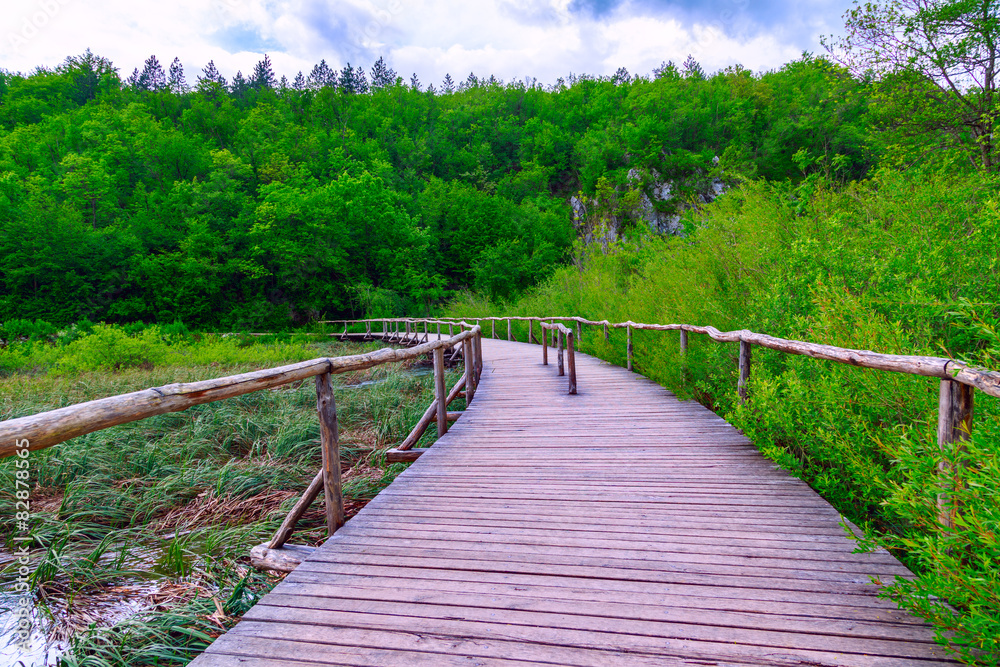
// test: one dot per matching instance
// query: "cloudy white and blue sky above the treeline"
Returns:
(511, 39)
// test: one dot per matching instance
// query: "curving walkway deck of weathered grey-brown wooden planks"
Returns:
(616, 527)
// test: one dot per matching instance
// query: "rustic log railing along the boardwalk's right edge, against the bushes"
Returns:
(955, 396)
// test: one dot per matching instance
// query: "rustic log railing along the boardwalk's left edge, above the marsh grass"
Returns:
(50, 428)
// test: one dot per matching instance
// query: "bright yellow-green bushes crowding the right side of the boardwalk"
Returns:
(905, 263)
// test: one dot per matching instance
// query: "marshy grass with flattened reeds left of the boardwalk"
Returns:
(142, 532)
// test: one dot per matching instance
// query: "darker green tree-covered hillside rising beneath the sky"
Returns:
(268, 203)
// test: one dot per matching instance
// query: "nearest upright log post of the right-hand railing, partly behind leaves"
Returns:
(954, 428)
